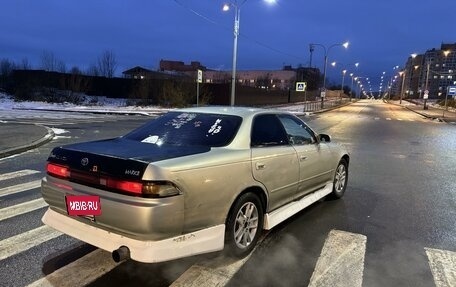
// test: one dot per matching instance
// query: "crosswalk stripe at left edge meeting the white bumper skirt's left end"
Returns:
(26, 240)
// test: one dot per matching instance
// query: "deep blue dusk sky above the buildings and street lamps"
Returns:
(382, 33)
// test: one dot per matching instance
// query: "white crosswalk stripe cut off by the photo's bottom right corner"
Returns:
(443, 266)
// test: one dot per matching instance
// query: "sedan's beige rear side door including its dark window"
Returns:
(274, 161)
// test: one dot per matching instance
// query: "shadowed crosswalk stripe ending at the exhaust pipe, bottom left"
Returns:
(80, 272)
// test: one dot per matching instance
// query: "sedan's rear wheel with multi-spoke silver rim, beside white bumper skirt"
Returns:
(244, 225)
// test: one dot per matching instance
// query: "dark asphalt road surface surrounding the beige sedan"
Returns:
(394, 225)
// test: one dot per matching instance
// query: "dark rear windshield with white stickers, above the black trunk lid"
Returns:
(178, 128)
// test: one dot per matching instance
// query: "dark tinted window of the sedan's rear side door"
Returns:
(268, 131)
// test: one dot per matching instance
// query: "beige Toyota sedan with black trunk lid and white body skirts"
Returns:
(191, 181)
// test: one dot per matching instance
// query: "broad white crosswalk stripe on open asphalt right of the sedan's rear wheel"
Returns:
(341, 262)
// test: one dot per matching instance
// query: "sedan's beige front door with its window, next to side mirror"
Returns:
(315, 166)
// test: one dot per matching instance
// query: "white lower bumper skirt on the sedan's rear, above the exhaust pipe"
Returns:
(203, 241)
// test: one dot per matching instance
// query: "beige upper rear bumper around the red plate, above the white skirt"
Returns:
(136, 217)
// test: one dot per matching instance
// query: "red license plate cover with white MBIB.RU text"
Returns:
(83, 205)
